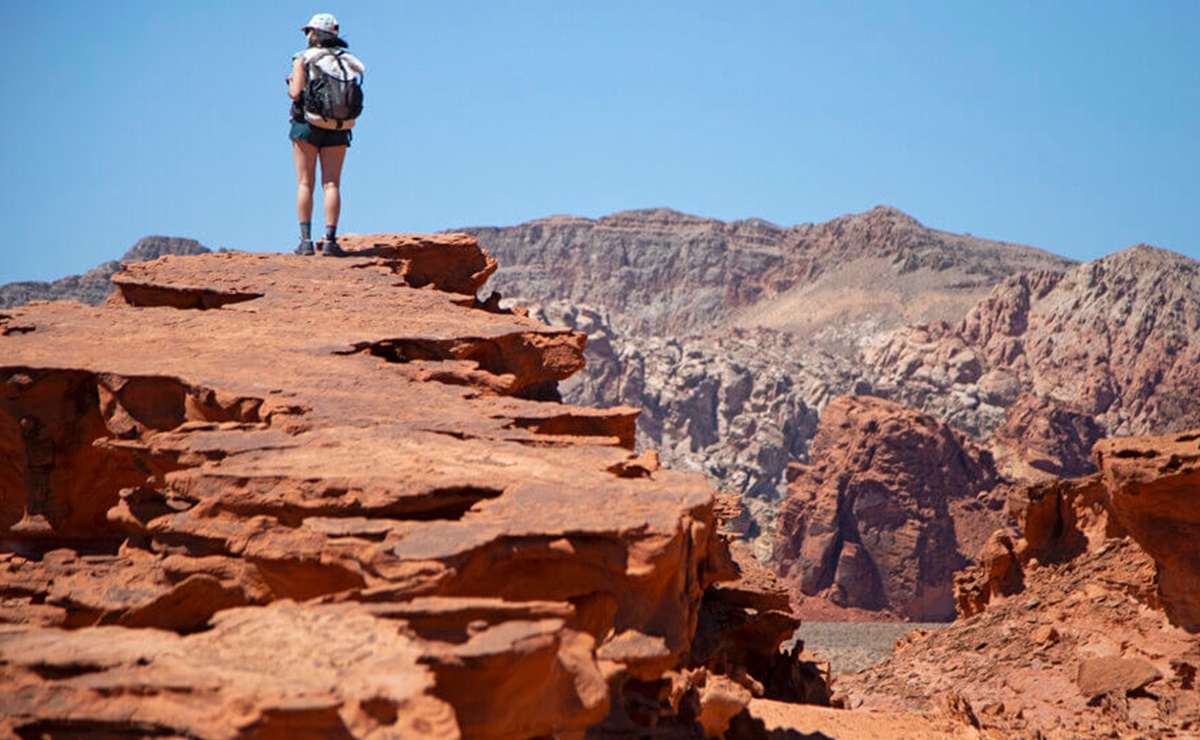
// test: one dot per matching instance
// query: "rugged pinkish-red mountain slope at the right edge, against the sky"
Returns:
(1052, 363)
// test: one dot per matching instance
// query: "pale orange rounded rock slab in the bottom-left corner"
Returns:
(269, 672)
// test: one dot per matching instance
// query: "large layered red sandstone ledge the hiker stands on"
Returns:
(274, 496)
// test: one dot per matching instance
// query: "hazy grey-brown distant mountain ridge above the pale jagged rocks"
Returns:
(662, 272)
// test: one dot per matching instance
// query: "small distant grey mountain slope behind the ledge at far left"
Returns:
(94, 287)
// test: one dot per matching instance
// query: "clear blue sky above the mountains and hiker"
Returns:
(1066, 125)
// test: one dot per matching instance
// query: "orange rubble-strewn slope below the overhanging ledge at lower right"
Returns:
(1021, 663)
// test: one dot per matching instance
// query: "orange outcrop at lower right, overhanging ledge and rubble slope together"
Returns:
(1085, 625)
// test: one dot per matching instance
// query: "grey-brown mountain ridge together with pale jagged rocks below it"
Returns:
(734, 336)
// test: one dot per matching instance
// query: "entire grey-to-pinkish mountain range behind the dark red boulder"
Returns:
(735, 338)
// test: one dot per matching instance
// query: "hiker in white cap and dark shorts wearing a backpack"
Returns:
(317, 134)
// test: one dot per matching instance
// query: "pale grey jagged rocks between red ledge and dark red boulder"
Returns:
(739, 408)
